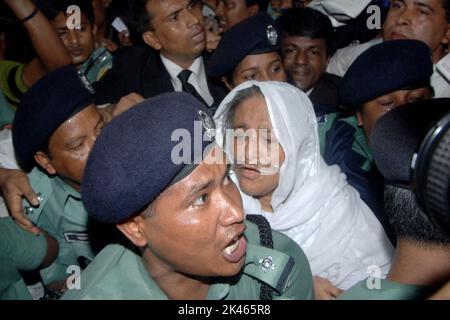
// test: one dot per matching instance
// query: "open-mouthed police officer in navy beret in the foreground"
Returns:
(183, 216)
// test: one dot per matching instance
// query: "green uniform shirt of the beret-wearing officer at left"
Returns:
(62, 214)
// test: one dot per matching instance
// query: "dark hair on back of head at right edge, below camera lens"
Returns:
(409, 221)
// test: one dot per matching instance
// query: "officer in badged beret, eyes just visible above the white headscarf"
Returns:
(248, 51)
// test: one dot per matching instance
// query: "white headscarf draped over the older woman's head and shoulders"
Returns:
(313, 203)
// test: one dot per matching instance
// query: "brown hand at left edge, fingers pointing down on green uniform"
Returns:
(14, 185)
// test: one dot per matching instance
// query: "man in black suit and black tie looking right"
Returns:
(171, 60)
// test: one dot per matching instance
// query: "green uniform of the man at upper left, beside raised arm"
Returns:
(96, 66)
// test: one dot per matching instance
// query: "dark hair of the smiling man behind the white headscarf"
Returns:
(308, 23)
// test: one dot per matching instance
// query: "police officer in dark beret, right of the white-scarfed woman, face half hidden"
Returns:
(382, 78)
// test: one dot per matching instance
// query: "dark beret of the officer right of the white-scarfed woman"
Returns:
(385, 68)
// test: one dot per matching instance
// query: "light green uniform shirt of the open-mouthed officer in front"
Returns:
(118, 273)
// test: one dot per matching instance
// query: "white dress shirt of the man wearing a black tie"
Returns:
(197, 78)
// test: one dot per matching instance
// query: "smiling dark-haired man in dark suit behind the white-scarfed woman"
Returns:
(307, 36)
